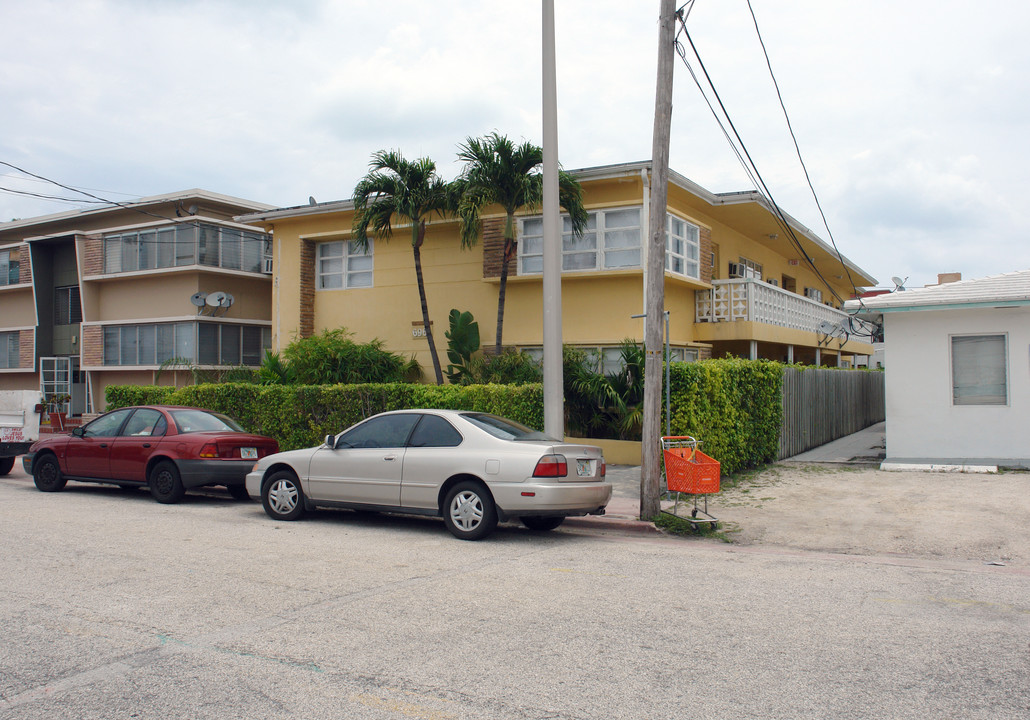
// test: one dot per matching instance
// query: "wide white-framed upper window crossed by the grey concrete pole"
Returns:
(610, 242)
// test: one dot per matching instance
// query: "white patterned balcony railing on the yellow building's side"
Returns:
(756, 301)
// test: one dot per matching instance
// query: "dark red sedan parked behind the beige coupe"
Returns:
(168, 450)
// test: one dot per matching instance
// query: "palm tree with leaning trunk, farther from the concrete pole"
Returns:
(414, 192)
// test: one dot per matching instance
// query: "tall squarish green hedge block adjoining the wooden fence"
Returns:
(733, 406)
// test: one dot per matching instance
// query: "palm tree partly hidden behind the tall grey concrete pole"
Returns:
(499, 173)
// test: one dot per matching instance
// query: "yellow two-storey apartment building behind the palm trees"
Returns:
(737, 283)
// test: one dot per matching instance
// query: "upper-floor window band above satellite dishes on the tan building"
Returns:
(183, 245)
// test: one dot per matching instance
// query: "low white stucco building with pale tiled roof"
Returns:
(958, 371)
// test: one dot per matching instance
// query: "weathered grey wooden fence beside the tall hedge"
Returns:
(822, 405)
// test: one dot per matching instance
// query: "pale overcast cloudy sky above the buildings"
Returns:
(912, 117)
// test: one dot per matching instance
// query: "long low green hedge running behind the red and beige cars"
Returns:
(302, 416)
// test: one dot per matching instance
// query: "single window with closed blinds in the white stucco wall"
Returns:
(980, 370)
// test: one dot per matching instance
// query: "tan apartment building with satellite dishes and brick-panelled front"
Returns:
(108, 296)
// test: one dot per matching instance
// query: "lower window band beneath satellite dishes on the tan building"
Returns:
(219, 344)
